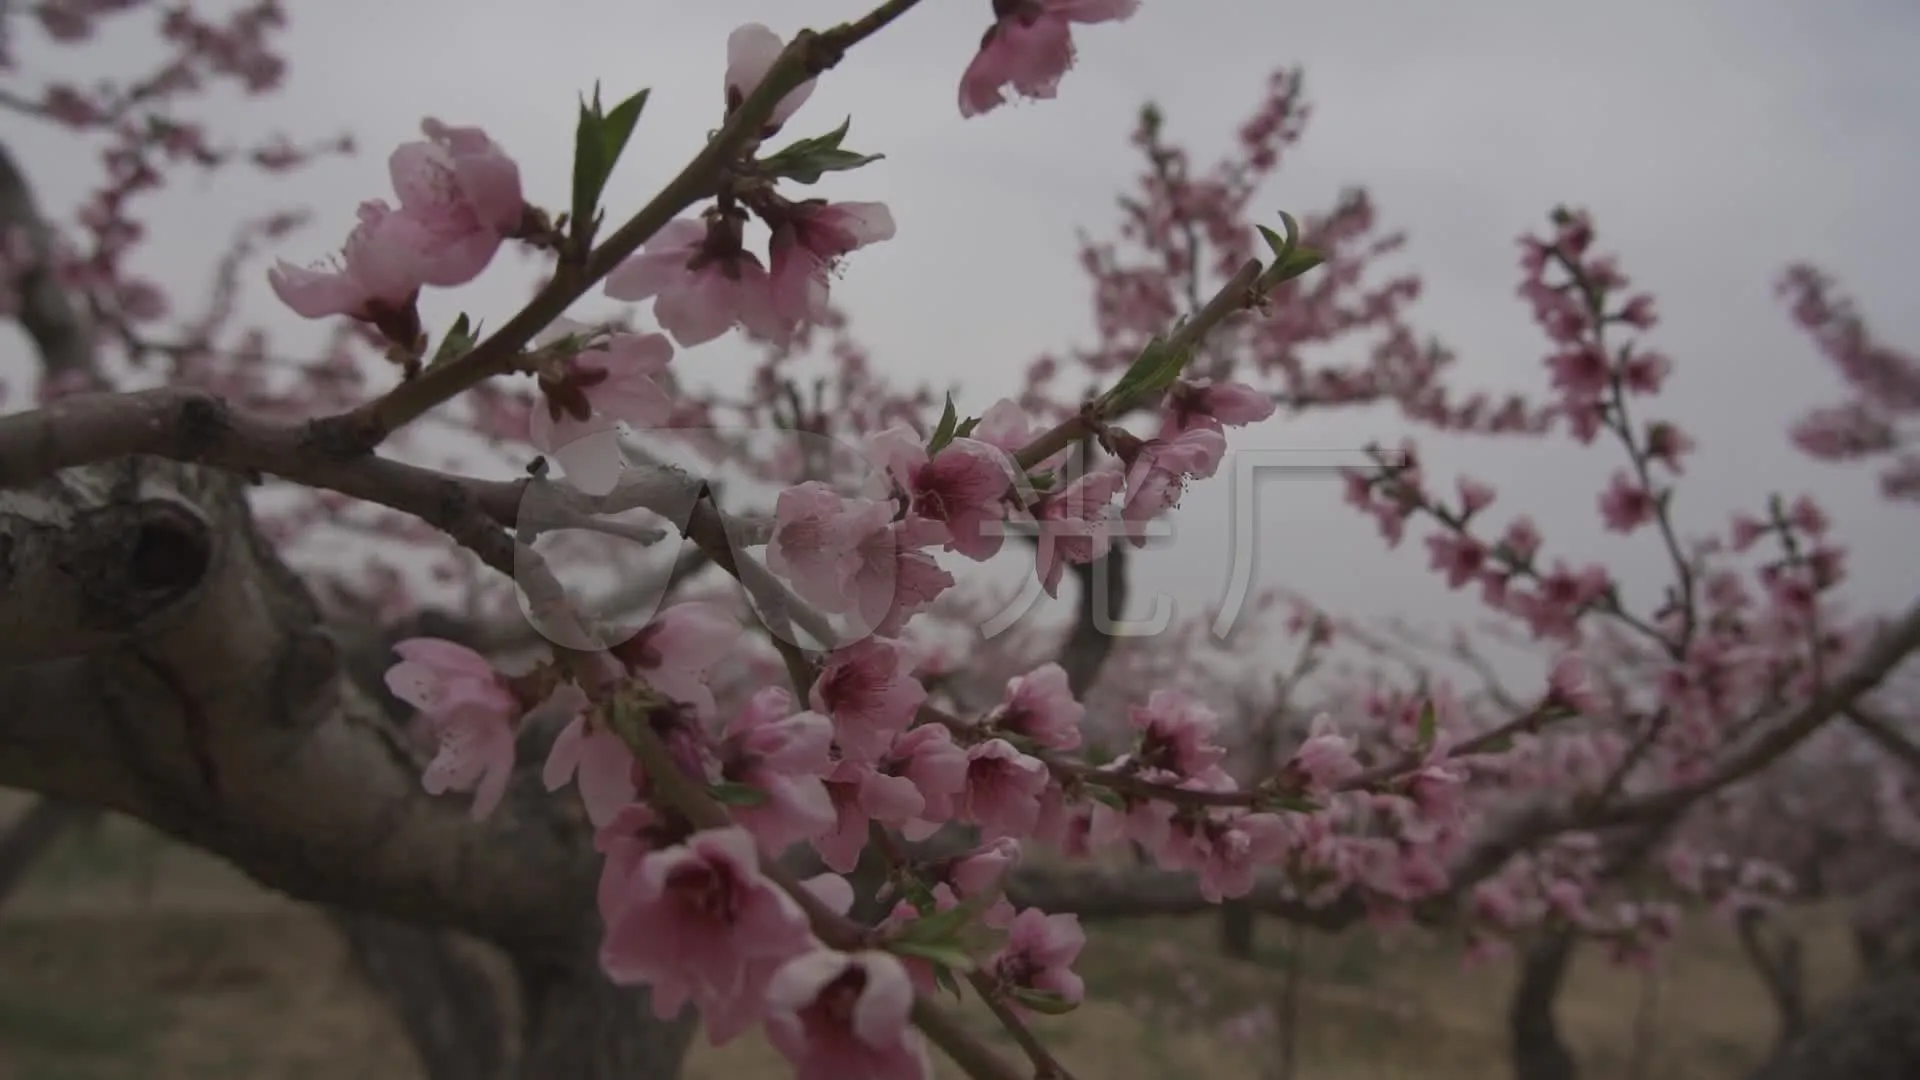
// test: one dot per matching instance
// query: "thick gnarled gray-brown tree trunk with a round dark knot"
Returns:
(162, 662)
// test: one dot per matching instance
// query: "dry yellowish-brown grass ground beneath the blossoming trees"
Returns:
(132, 960)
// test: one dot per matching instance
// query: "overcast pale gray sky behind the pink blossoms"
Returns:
(1716, 141)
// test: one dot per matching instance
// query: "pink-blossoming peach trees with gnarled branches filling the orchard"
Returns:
(800, 773)
